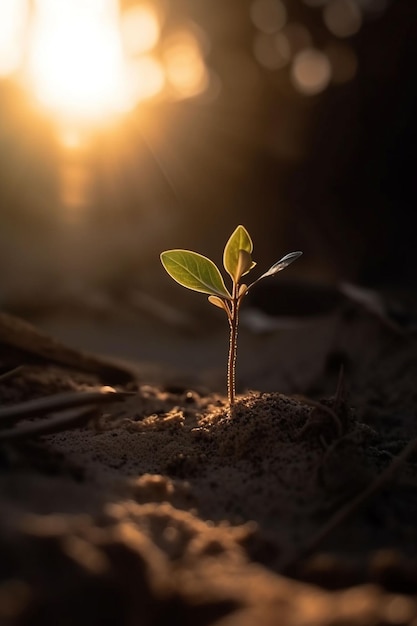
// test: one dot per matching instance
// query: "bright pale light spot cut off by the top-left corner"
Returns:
(13, 16)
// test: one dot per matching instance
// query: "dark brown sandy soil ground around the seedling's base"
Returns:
(162, 507)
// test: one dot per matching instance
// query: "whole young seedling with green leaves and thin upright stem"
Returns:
(197, 272)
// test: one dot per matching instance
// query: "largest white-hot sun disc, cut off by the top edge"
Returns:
(75, 58)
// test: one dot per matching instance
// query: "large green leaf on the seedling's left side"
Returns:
(194, 271)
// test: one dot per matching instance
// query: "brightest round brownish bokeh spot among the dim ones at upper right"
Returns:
(311, 71)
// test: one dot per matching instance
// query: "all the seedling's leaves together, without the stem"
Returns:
(197, 272)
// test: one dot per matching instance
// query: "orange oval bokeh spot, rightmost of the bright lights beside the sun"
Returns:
(185, 68)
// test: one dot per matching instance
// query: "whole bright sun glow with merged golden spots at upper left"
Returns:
(87, 62)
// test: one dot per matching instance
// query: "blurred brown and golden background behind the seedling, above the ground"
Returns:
(129, 127)
